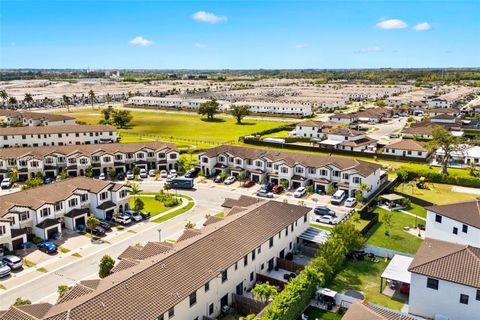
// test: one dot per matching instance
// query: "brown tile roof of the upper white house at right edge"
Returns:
(467, 212)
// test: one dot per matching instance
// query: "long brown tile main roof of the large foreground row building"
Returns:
(203, 258)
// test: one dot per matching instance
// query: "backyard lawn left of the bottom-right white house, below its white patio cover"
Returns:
(364, 276)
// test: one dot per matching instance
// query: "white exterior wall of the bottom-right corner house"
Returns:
(445, 301)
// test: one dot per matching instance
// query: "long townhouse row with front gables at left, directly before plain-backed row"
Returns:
(75, 159)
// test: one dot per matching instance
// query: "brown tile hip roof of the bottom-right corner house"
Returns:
(448, 261)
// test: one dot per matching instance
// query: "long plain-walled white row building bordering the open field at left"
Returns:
(57, 135)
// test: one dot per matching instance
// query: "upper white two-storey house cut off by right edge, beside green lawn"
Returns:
(457, 222)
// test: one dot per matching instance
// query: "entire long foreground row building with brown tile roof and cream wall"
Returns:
(194, 278)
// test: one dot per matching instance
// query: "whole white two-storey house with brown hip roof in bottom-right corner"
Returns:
(445, 280)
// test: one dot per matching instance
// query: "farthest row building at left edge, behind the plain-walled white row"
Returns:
(34, 119)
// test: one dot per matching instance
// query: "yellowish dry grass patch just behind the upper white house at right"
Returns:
(437, 194)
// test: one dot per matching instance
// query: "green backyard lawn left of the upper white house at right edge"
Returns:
(398, 239)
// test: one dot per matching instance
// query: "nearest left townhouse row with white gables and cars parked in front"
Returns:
(44, 211)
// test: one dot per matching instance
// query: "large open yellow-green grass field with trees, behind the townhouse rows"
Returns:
(183, 129)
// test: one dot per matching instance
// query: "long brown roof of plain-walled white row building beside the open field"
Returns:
(57, 129)
